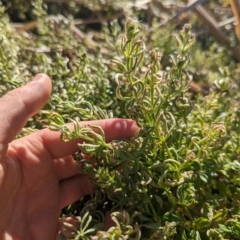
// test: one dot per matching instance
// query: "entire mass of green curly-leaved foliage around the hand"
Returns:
(179, 177)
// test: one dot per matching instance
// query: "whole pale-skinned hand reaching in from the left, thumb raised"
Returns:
(38, 175)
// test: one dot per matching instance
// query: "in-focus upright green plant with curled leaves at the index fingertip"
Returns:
(166, 176)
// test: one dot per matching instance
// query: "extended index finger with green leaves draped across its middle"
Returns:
(115, 129)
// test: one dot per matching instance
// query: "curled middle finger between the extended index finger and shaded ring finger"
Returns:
(66, 167)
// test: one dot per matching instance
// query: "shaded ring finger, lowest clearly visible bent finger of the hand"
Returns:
(74, 188)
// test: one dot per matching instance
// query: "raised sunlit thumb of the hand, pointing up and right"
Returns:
(18, 105)
